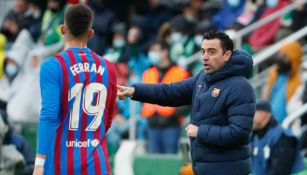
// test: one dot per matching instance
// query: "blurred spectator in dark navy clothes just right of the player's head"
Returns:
(103, 22)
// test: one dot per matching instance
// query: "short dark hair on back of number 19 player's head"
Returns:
(78, 19)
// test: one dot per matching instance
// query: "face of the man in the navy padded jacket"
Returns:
(213, 56)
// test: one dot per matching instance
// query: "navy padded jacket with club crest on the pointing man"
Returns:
(223, 107)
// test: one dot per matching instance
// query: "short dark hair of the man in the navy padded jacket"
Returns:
(226, 42)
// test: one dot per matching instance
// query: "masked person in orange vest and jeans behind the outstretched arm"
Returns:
(164, 122)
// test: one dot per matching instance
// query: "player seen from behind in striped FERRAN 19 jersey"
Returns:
(78, 90)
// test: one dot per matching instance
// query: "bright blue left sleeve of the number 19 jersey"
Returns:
(50, 83)
